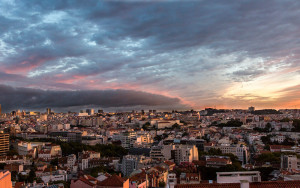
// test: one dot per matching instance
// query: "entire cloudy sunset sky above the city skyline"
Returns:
(149, 54)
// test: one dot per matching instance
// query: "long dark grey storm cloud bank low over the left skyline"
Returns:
(12, 98)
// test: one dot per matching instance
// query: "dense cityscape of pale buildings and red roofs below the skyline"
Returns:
(142, 149)
